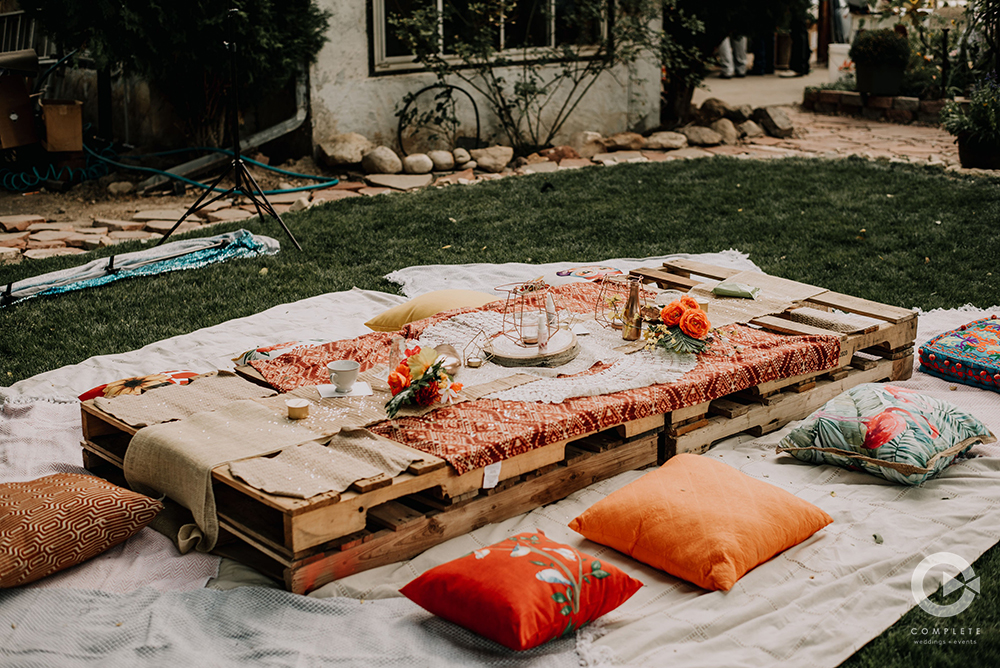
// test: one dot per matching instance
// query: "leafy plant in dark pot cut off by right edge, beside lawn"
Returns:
(976, 125)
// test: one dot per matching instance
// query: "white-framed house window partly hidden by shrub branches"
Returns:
(523, 25)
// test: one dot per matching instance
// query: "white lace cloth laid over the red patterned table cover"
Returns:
(627, 372)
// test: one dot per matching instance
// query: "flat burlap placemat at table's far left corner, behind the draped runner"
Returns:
(177, 402)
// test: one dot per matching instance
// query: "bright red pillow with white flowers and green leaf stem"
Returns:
(522, 592)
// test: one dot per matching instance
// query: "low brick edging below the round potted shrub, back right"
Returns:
(874, 107)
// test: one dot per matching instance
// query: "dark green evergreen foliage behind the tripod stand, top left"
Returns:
(180, 46)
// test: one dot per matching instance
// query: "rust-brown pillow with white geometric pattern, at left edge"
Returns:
(64, 519)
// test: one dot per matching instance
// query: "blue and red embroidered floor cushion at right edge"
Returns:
(969, 354)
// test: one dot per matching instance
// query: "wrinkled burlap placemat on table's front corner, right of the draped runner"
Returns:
(309, 469)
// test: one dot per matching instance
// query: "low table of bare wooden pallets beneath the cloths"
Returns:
(306, 543)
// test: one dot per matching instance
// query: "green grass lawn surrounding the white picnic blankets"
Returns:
(897, 234)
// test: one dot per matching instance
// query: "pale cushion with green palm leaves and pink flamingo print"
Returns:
(887, 431)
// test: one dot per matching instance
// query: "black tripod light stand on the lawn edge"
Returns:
(243, 181)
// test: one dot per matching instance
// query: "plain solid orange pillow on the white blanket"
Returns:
(701, 520)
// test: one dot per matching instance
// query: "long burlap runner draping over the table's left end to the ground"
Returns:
(177, 458)
